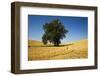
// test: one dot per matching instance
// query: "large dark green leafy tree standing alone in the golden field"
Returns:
(54, 31)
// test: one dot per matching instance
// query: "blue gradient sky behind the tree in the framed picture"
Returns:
(77, 27)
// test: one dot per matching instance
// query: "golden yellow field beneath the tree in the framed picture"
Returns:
(74, 50)
